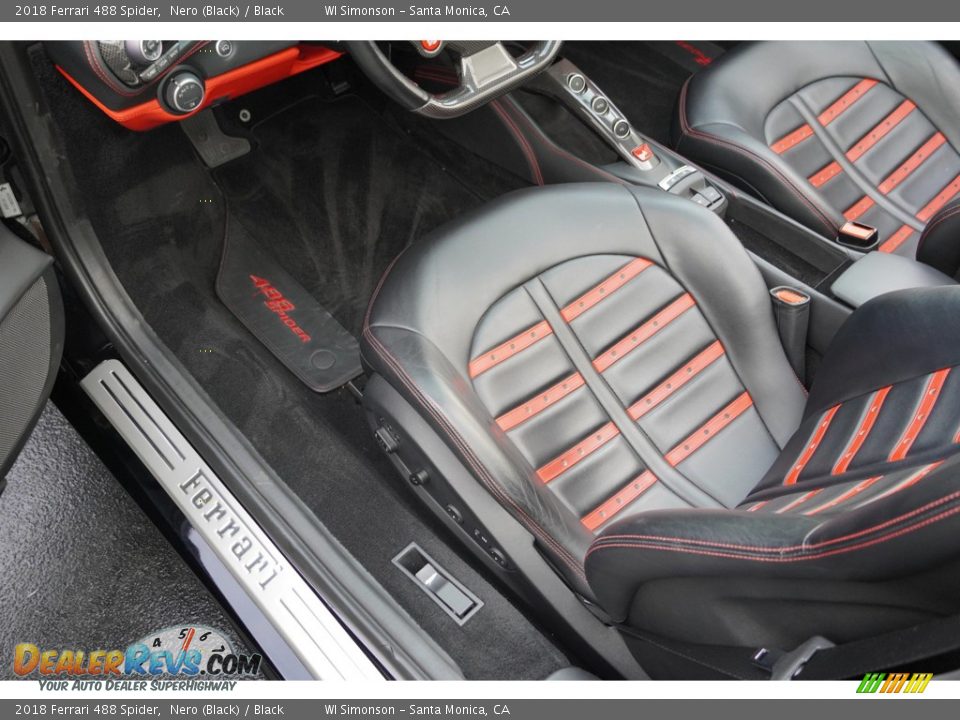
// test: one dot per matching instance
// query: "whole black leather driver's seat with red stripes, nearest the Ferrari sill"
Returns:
(604, 361)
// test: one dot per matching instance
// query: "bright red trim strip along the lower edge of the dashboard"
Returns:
(231, 84)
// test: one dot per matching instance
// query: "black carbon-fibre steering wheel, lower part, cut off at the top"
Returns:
(486, 71)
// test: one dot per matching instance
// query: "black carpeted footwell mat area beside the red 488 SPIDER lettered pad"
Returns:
(340, 190)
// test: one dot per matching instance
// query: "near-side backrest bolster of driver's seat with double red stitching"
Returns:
(897, 536)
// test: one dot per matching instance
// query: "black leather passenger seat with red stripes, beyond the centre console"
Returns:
(834, 131)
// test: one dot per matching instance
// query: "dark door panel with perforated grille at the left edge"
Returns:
(31, 340)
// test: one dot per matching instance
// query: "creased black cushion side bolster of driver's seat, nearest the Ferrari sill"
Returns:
(423, 375)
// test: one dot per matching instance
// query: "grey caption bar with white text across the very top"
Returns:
(579, 11)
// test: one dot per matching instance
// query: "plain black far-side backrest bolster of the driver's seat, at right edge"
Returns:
(890, 339)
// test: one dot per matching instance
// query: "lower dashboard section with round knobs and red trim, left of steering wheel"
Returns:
(145, 83)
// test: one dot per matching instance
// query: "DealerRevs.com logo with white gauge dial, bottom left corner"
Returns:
(189, 652)
